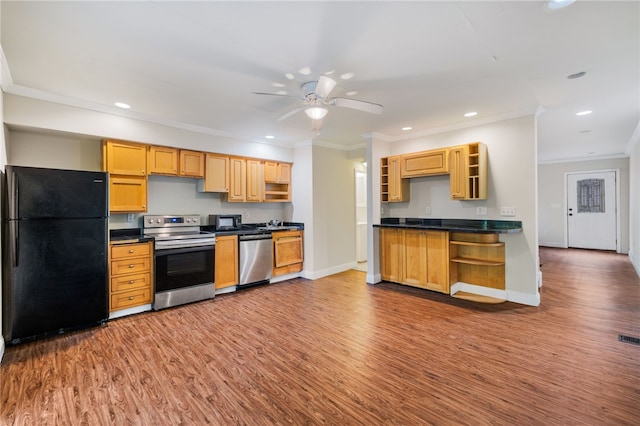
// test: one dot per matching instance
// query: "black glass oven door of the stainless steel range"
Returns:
(184, 267)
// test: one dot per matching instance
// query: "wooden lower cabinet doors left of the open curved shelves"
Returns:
(418, 258)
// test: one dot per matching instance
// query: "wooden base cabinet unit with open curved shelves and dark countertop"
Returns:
(460, 257)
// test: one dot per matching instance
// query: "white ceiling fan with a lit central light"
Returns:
(316, 97)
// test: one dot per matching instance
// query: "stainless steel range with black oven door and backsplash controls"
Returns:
(184, 259)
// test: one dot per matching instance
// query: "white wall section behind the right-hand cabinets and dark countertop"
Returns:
(512, 182)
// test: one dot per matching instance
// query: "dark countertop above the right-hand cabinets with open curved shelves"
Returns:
(460, 225)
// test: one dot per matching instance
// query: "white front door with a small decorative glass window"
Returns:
(591, 210)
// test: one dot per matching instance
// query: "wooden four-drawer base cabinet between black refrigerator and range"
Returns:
(131, 275)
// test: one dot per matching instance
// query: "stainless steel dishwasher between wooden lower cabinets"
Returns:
(255, 259)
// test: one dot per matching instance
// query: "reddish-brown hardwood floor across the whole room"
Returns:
(339, 351)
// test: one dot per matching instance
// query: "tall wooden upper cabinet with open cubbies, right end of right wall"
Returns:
(468, 171)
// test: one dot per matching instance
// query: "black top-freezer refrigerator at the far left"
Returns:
(54, 251)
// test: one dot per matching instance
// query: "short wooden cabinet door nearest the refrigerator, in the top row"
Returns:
(124, 158)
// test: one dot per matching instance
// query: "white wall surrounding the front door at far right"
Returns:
(552, 198)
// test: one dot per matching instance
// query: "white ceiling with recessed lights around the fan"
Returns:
(195, 65)
